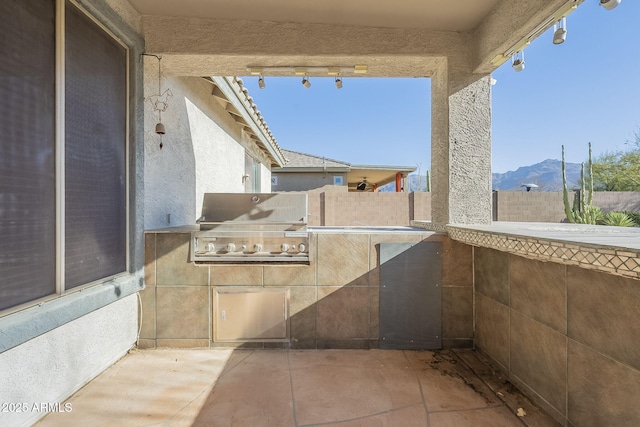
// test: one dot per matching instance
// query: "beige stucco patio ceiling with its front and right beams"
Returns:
(404, 38)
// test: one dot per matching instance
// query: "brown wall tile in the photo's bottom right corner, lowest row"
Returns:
(602, 392)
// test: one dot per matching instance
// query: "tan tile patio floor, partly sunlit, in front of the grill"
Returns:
(216, 387)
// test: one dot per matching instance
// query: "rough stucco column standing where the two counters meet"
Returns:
(460, 150)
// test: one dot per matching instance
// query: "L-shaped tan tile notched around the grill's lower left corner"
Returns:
(172, 264)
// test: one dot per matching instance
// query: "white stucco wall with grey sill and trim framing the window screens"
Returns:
(51, 349)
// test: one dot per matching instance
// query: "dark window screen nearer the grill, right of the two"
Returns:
(95, 150)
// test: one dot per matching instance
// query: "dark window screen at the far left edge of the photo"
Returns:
(27, 154)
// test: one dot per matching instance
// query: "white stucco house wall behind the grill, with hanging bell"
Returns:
(203, 150)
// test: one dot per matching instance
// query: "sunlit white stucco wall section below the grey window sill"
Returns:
(51, 367)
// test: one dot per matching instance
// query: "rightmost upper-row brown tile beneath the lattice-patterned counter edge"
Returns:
(603, 313)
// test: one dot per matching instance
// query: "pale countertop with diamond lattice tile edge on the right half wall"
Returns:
(614, 250)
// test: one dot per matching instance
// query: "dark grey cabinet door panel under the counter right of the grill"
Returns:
(410, 296)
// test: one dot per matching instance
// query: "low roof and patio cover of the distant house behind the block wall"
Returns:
(372, 174)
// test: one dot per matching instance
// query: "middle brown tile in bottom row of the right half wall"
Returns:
(539, 358)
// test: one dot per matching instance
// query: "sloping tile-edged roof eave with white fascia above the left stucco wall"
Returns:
(240, 106)
